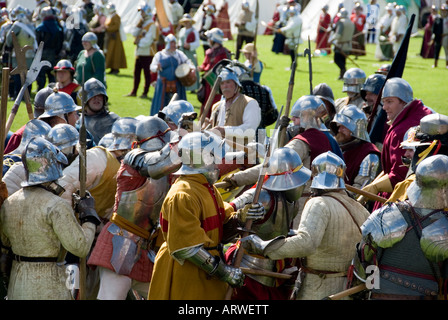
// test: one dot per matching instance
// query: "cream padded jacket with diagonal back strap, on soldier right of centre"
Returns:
(327, 237)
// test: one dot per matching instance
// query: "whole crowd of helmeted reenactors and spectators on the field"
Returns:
(176, 206)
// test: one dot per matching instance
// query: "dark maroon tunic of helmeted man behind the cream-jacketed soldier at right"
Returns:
(354, 156)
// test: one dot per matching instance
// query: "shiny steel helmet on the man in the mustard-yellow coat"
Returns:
(201, 152)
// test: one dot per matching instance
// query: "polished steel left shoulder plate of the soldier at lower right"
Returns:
(386, 226)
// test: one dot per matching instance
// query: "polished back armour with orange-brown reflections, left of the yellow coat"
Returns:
(142, 206)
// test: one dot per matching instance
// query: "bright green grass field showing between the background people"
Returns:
(429, 84)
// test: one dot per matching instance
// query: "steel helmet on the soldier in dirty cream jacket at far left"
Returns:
(42, 162)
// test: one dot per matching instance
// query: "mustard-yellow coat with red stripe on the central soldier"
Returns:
(189, 217)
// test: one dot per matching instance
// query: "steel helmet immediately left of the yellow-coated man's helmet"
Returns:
(153, 134)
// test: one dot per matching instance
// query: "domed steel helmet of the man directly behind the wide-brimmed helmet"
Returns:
(306, 108)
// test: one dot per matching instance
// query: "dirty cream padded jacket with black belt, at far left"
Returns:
(36, 223)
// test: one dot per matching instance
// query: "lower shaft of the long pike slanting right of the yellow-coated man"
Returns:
(259, 185)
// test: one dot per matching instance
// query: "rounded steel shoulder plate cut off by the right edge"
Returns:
(434, 240)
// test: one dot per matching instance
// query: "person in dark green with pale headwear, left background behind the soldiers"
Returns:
(91, 62)
